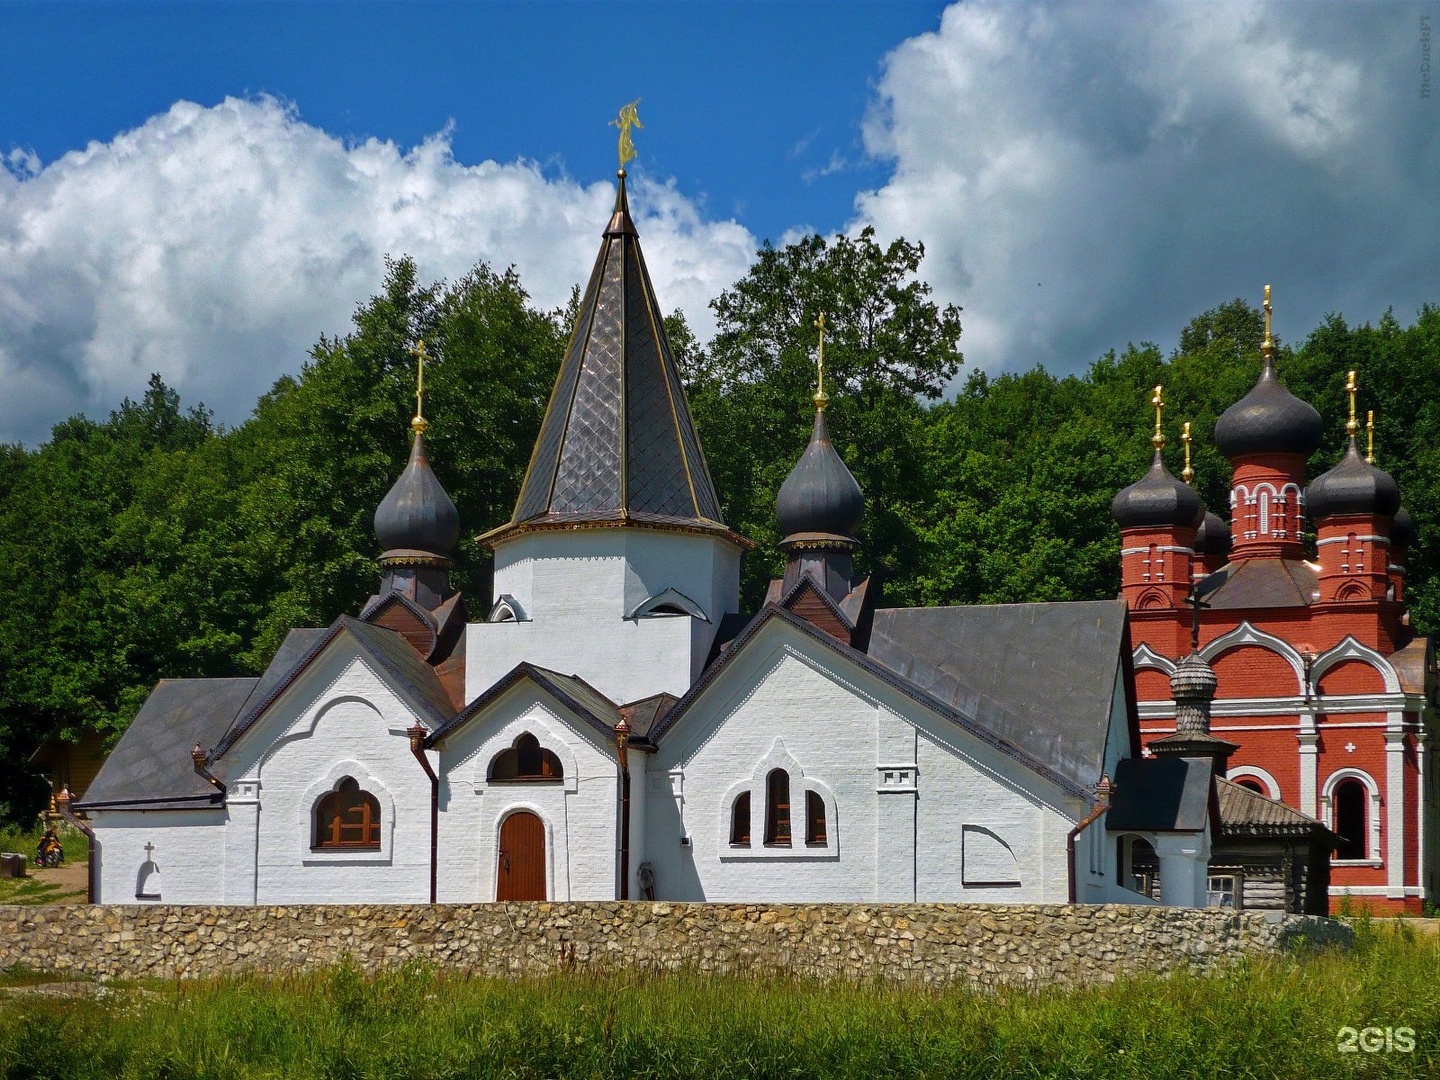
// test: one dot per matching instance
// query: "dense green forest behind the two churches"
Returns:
(158, 544)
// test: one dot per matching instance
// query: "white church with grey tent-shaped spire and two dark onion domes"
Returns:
(616, 728)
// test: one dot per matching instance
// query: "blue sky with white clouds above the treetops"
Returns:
(205, 189)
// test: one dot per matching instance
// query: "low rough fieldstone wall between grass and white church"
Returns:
(912, 944)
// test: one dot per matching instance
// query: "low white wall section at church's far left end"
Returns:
(186, 850)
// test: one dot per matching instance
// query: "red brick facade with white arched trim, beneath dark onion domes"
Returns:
(1323, 685)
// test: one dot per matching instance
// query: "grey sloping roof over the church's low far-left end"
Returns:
(152, 765)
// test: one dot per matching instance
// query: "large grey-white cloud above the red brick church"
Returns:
(1085, 175)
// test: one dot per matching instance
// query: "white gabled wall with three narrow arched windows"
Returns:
(899, 796)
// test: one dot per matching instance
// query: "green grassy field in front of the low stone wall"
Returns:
(1271, 1019)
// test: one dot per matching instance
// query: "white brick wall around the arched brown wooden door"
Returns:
(578, 813)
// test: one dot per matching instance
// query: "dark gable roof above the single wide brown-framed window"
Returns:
(387, 649)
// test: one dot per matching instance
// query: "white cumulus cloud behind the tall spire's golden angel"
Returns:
(215, 246)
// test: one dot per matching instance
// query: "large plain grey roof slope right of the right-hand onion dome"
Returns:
(1040, 676)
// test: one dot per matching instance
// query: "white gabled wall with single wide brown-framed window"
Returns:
(341, 719)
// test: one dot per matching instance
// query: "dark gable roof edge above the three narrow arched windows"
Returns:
(947, 711)
